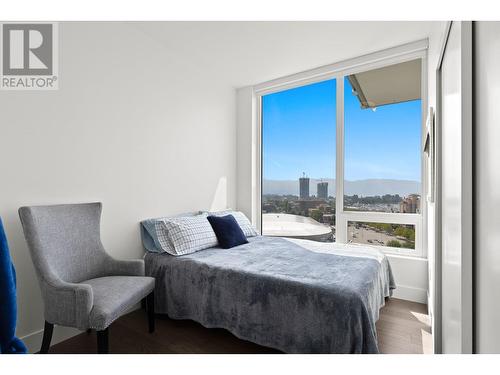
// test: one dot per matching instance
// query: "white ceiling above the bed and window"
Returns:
(248, 53)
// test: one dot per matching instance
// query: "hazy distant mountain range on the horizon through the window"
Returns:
(370, 187)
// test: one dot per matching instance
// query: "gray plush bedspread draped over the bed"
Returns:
(279, 293)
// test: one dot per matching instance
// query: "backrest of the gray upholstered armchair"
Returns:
(64, 240)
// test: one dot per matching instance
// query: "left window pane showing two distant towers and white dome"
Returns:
(298, 162)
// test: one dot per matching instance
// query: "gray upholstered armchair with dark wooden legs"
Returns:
(82, 286)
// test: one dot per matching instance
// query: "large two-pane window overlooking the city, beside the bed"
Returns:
(377, 164)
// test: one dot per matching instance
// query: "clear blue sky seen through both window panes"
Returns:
(299, 136)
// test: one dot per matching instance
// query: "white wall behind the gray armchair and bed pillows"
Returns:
(135, 125)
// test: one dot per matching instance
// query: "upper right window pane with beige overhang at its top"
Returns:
(382, 132)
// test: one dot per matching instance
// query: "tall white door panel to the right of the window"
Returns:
(455, 114)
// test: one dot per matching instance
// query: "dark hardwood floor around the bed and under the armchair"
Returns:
(402, 328)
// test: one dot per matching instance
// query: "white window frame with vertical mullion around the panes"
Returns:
(338, 71)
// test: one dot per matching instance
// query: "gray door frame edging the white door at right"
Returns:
(467, 308)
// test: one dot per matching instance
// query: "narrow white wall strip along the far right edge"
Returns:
(487, 182)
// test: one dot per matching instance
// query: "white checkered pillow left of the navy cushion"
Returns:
(185, 235)
